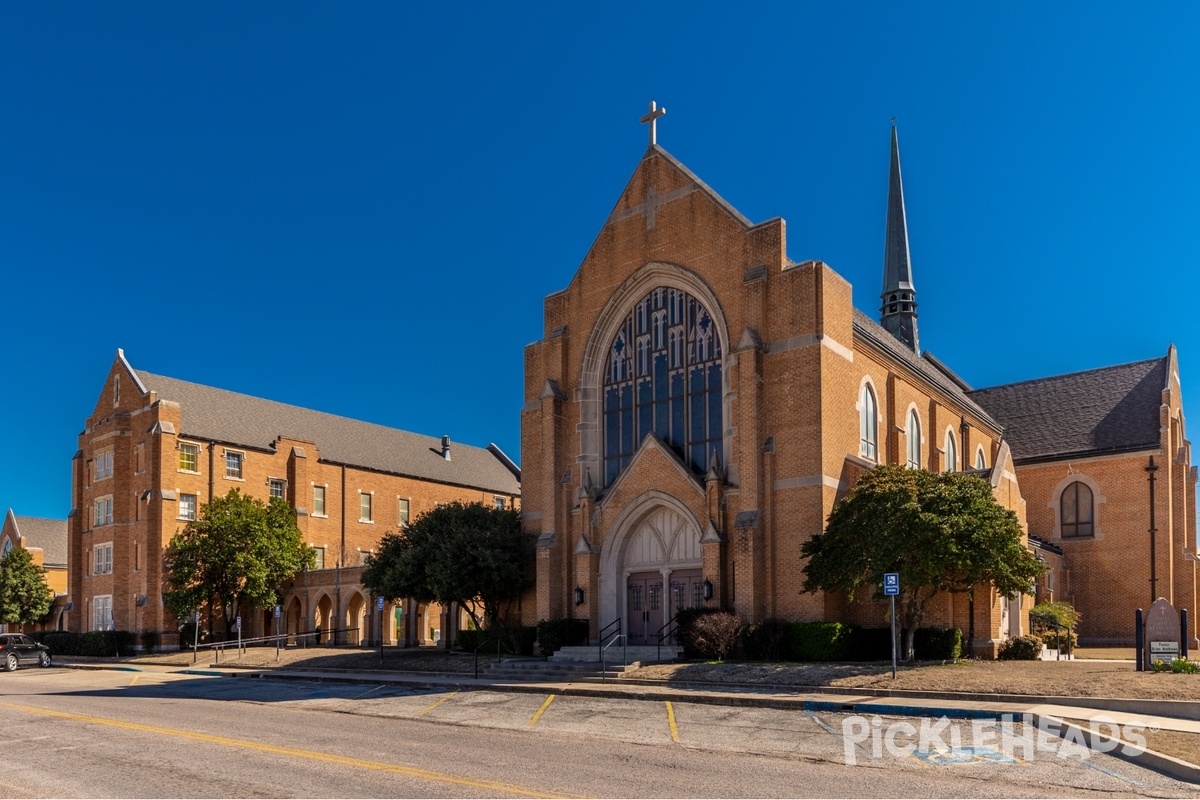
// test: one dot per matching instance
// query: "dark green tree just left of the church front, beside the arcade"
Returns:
(472, 555)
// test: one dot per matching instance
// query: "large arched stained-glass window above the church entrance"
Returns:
(663, 377)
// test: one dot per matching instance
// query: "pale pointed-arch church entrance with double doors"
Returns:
(651, 567)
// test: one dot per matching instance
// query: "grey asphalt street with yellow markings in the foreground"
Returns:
(165, 735)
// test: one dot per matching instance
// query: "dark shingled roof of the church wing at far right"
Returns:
(1112, 410)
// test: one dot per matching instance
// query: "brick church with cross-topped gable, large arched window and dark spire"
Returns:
(699, 401)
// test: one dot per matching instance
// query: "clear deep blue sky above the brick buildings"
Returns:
(359, 208)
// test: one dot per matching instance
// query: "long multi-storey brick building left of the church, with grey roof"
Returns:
(157, 449)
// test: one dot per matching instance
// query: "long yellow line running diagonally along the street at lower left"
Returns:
(311, 755)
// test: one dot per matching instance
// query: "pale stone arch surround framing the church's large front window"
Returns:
(651, 276)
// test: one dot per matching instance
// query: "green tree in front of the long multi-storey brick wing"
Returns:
(233, 557)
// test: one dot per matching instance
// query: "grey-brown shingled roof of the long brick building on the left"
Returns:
(231, 418)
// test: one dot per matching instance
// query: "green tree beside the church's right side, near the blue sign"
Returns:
(943, 533)
